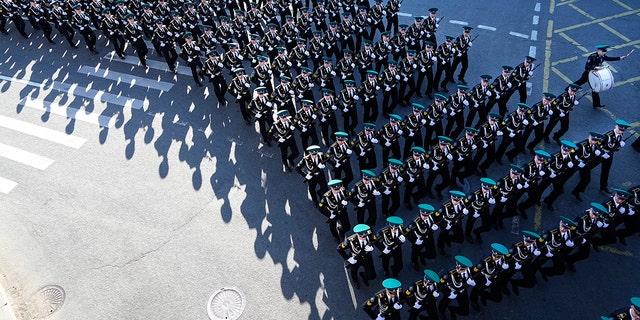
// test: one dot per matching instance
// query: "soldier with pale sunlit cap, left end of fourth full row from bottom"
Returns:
(311, 168)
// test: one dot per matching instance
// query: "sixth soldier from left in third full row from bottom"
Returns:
(463, 157)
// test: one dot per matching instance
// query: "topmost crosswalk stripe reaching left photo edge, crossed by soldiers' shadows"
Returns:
(74, 89)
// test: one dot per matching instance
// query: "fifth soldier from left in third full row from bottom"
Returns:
(441, 154)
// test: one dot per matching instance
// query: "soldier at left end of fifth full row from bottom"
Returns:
(282, 132)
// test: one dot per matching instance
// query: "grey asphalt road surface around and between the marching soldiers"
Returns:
(137, 194)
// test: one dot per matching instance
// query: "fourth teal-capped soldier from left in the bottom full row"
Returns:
(494, 271)
